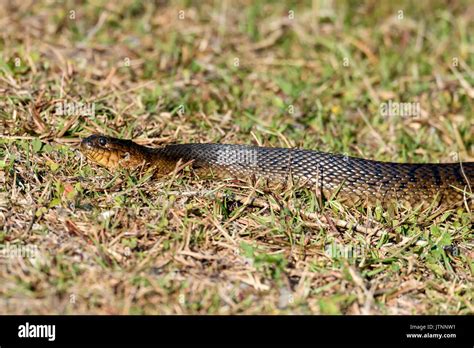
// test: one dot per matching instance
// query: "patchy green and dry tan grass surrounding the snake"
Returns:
(79, 239)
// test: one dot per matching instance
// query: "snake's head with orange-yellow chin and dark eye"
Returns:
(113, 153)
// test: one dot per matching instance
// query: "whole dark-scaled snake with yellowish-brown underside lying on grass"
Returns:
(351, 180)
